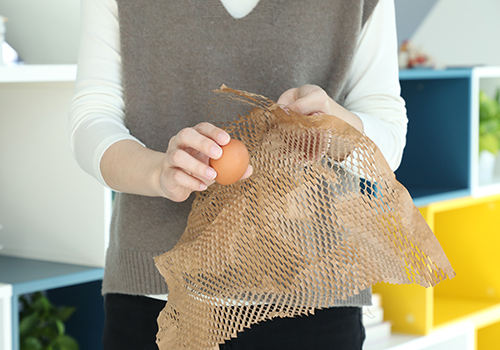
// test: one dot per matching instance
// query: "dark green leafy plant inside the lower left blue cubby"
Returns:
(41, 325)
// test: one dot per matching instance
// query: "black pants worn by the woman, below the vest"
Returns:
(131, 325)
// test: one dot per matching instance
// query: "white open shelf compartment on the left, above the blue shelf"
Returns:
(49, 208)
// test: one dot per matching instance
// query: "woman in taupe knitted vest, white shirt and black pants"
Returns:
(146, 70)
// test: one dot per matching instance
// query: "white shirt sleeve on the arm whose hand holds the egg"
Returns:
(97, 109)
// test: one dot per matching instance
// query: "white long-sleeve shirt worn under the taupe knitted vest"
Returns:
(97, 109)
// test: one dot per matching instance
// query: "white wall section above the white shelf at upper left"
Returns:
(43, 31)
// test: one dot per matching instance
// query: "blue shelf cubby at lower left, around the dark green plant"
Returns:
(75, 285)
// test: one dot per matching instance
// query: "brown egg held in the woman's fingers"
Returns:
(233, 163)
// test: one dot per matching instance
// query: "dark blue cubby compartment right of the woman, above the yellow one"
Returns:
(436, 160)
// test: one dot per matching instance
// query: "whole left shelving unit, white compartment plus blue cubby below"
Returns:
(51, 212)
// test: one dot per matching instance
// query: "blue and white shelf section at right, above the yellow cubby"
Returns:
(440, 160)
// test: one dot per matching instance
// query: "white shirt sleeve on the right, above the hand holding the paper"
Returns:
(374, 91)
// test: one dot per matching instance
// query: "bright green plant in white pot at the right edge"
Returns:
(489, 135)
